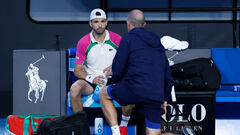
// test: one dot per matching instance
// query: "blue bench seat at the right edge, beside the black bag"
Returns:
(227, 100)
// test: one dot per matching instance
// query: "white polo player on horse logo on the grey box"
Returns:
(35, 83)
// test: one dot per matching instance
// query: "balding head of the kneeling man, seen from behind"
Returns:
(136, 18)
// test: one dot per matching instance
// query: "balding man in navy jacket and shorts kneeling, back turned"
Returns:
(141, 76)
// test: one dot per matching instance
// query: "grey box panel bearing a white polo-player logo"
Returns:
(39, 82)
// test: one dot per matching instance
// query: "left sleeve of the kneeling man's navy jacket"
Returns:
(119, 66)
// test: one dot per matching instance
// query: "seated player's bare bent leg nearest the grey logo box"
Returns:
(79, 88)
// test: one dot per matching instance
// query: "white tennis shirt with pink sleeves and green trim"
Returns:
(97, 56)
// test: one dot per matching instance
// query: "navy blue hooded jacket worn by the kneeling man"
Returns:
(142, 66)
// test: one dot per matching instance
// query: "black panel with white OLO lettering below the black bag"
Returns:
(198, 108)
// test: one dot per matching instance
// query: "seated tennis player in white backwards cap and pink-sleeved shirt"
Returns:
(94, 56)
